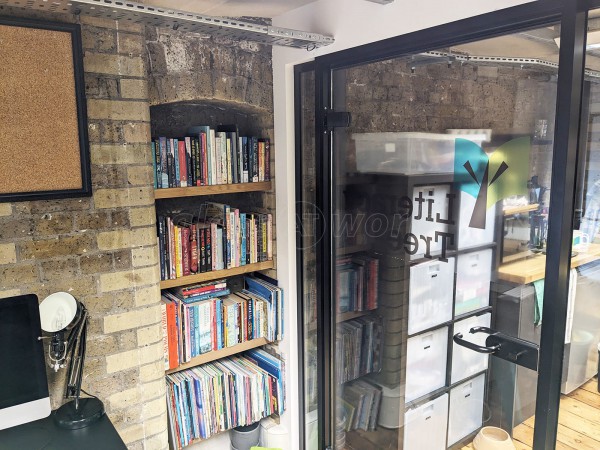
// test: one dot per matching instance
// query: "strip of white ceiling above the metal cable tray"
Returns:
(231, 8)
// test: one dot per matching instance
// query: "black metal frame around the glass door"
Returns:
(572, 16)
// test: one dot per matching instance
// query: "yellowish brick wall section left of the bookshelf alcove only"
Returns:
(103, 249)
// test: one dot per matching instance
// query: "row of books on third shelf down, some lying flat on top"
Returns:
(206, 317)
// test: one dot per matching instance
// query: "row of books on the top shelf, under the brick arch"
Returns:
(210, 157)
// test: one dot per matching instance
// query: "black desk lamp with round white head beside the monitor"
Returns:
(66, 319)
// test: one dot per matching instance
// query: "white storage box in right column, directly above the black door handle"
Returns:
(473, 276)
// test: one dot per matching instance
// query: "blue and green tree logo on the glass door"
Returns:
(492, 178)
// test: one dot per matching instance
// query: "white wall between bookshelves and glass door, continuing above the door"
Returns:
(351, 23)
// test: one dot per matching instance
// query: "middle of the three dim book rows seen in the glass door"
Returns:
(358, 346)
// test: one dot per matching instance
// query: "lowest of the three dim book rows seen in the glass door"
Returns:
(361, 401)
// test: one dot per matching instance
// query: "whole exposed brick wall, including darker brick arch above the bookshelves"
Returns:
(103, 249)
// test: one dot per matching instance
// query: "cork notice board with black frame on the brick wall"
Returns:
(43, 131)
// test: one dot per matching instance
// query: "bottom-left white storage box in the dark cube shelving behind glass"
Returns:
(425, 427)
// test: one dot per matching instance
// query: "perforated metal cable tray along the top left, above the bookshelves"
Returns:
(178, 20)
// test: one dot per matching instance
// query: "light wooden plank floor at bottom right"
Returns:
(578, 421)
